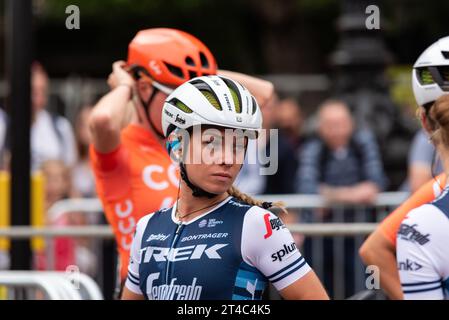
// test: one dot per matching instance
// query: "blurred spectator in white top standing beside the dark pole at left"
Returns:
(51, 135)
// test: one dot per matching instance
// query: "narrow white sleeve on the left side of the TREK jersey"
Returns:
(133, 280)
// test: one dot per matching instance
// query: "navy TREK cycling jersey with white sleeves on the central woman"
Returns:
(230, 252)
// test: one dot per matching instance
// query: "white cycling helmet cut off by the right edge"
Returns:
(431, 73)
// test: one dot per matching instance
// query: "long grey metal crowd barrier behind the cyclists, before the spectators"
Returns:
(328, 235)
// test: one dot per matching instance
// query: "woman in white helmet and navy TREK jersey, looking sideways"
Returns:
(215, 242)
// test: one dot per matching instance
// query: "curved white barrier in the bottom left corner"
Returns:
(32, 285)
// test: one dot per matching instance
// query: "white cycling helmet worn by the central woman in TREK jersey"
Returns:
(211, 100)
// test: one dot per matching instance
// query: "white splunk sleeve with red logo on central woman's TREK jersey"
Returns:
(269, 246)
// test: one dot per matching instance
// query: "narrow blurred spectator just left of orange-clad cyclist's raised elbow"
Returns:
(83, 178)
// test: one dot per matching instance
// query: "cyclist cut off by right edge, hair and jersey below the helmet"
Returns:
(422, 252)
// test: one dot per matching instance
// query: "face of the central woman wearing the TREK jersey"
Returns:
(214, 158)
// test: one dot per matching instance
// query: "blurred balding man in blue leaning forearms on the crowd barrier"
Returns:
(343, 165)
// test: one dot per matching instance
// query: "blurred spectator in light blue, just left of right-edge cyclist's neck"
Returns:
(423, 162)
